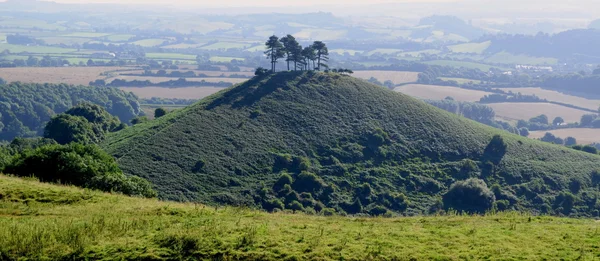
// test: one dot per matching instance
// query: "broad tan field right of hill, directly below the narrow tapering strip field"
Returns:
(526, 111)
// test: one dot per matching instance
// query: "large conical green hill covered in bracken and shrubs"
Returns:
(314, 141)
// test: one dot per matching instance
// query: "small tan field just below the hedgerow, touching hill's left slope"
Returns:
(172, 93)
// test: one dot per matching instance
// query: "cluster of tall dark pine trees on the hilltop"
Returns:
(302, 58)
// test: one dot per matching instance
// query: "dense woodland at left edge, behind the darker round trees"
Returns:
(25, 108)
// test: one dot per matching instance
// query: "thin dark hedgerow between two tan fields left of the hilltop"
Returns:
(181, 82)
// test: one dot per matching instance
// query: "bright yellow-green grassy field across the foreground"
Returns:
(42, 221)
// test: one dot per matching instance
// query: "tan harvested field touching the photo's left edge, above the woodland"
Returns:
(70, 75)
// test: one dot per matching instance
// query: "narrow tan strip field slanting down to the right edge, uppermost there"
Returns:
(558, 97)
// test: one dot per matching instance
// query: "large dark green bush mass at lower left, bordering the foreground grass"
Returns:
(81, 165)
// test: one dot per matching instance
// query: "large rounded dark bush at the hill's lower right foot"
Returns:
(471, 195)
